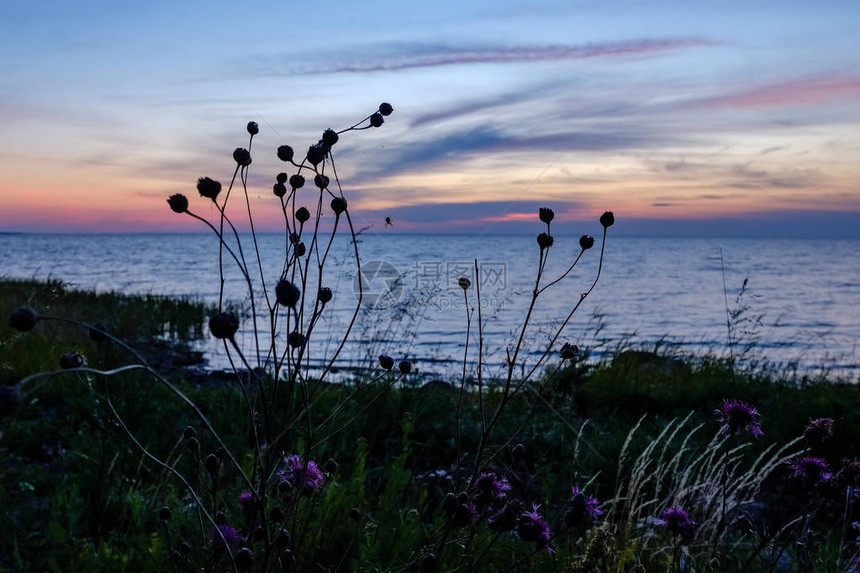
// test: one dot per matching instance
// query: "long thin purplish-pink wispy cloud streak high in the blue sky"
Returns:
(411, 56)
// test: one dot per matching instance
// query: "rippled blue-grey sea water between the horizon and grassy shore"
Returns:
(801, 301)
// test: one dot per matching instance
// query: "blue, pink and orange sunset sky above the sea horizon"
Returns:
(698, 118)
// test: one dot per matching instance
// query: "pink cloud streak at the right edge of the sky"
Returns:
(798, 92)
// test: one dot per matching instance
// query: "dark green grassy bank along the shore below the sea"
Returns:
(77, 494)
